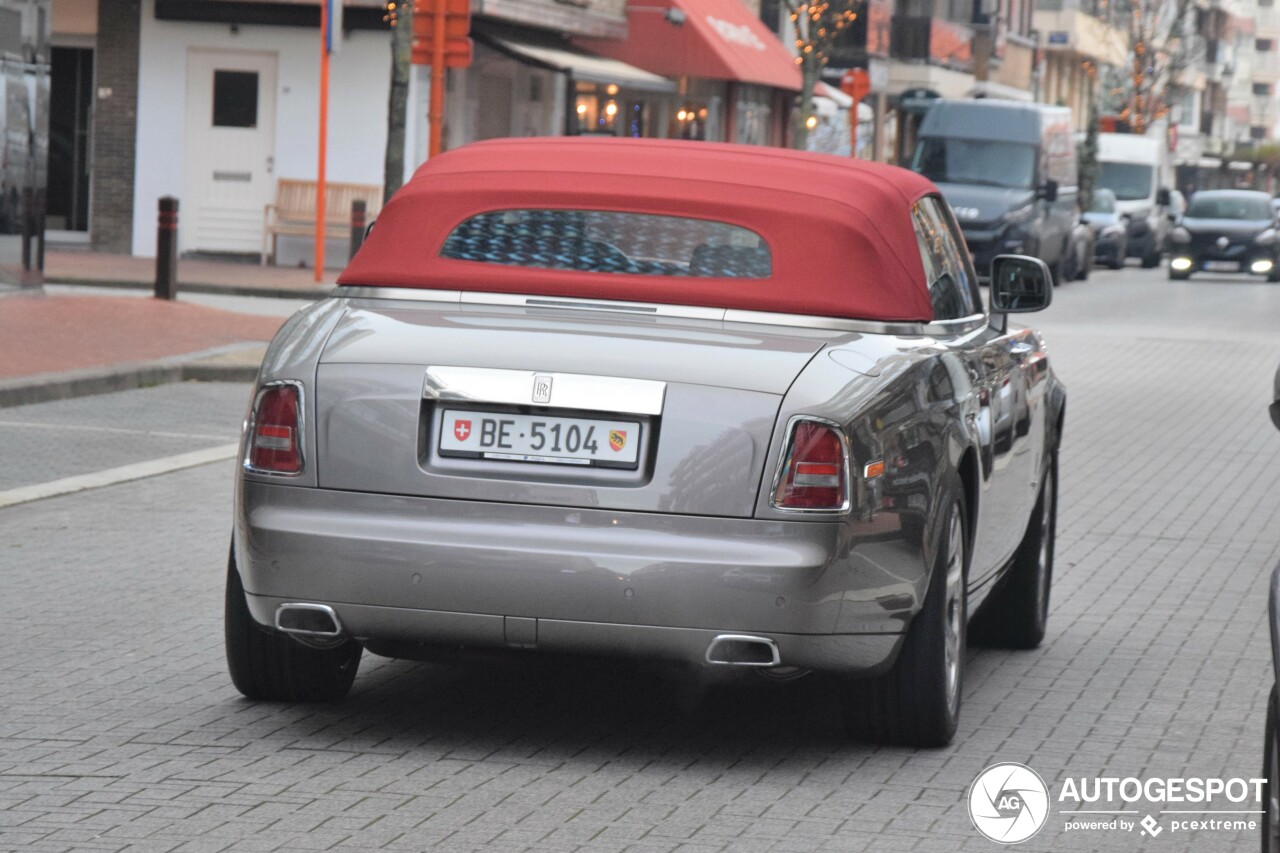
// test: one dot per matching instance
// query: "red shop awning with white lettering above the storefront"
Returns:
(719, 40)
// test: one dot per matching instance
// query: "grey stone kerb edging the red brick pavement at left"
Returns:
(124, 377)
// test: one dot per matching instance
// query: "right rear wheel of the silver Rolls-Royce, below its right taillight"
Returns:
(917, 704)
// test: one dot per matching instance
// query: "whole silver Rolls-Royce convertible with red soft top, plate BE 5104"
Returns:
(724, 405)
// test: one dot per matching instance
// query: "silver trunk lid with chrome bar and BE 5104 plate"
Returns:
(385, 418)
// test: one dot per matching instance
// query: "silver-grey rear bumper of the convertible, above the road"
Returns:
(429, 572)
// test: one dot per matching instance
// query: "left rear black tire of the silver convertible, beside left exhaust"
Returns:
(267, 665)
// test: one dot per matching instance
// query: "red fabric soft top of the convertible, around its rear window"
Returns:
(839, 231)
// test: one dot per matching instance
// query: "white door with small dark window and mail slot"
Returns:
(230, 156)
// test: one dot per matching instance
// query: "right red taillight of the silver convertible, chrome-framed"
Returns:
(815, 472)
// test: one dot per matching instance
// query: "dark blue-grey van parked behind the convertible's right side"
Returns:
(1009, 171)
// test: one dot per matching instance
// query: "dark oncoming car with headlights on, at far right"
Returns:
(1227, 231)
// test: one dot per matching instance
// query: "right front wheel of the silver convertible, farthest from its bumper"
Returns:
(1016, 615)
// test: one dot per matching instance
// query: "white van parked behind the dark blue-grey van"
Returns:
(1136, 170)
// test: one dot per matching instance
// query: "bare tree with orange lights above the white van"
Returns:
(1163, 44)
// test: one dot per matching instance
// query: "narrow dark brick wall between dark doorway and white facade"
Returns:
(116, 124)
